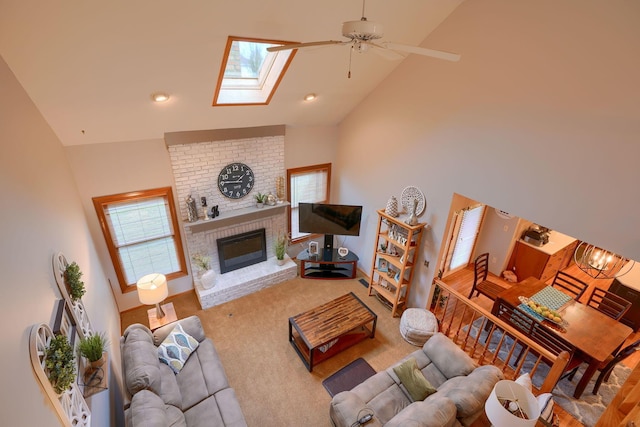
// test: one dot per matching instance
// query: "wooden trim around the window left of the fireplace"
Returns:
(99, 204)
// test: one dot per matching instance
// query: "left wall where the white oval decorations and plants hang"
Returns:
(41, 215)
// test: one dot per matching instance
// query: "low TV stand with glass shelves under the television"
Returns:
(319, 267)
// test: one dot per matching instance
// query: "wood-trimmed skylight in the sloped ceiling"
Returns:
(249, 74)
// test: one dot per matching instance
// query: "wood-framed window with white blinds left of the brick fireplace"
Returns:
(141, 231)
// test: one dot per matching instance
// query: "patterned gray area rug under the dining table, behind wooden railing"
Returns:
(589, 407)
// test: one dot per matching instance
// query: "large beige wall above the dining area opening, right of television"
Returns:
(540, 118)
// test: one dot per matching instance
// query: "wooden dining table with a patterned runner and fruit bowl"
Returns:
(593, 334)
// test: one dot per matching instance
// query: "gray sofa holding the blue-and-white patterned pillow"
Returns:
(198, 395)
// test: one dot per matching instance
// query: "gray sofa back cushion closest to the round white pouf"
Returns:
(450, 359)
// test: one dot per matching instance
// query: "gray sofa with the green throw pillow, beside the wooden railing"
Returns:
(462, 389)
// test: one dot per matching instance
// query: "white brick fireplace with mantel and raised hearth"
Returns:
(196, 161)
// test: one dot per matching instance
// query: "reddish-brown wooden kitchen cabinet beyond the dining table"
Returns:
(541, 263)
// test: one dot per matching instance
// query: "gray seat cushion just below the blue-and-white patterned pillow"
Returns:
(201, 376)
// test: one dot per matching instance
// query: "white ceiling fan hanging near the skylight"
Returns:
(362, 36)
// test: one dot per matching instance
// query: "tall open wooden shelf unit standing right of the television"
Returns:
(394, 256)
